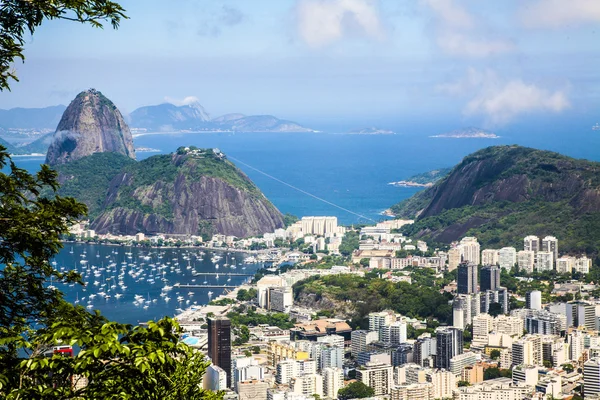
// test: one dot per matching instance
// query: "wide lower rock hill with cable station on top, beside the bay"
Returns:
(191, 192)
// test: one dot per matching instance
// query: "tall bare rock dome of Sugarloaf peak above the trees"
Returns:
(90, 124)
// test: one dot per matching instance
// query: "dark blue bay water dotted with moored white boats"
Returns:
(122, 273)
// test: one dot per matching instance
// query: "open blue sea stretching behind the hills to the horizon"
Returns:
(351, 172)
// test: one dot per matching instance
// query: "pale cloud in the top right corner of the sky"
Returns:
(556, 13)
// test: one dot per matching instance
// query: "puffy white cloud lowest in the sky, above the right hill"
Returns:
(500, 101)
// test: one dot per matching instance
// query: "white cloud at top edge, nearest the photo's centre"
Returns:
(322, 22)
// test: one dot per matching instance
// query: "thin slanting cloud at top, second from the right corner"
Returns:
(458, 33)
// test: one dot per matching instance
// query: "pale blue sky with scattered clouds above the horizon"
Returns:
(473, 62)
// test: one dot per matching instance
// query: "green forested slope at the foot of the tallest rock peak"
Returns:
(88, 178)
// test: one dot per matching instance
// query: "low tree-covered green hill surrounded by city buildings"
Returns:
(370, 293)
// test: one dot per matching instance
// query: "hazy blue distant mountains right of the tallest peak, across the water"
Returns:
(193, 117)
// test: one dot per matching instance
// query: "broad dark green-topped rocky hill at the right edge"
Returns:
(501, 194)
